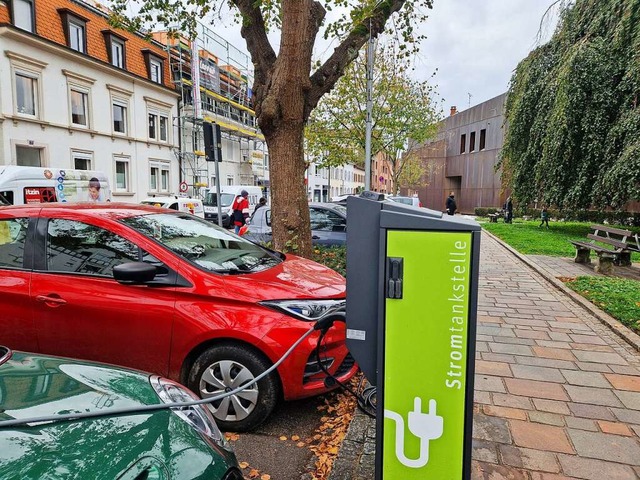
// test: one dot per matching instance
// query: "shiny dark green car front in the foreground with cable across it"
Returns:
(154, 445)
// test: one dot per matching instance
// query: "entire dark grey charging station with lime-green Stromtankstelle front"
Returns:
(412, 288)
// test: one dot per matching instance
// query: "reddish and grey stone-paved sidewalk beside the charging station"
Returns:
(557, 392)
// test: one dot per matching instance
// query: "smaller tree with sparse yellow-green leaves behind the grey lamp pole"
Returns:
(403, 115)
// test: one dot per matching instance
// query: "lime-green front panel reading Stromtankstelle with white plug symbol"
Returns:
(424, 394)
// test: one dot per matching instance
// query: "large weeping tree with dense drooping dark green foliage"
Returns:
(573, 111)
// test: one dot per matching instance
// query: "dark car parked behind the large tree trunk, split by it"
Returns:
(328, 224)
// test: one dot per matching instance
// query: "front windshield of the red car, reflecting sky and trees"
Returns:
(206, 245)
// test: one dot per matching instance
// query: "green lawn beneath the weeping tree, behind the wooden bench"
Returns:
(529, 239)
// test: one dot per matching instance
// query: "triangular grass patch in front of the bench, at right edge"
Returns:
(619, 297)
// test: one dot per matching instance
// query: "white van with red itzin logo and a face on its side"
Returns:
(20, 185)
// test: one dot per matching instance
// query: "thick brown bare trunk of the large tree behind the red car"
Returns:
(282, 117)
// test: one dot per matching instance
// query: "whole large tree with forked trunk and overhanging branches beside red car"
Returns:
(286, 88)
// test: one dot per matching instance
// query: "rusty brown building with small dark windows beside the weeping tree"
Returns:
(462, 158)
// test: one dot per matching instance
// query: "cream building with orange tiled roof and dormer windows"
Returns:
(76, 93)
